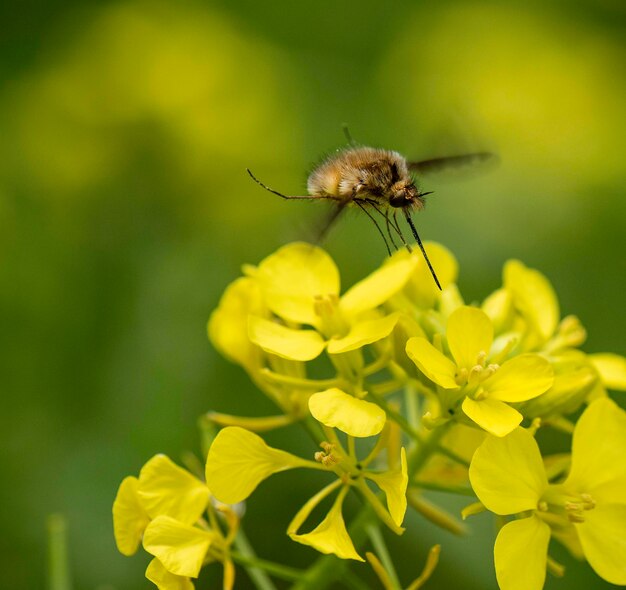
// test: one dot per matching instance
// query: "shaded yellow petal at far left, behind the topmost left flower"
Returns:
(228, 325)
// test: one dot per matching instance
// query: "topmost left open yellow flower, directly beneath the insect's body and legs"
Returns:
(300, 284)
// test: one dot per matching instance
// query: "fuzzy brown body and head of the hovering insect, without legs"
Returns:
(379, 175)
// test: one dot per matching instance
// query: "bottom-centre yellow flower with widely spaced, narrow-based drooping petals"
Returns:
(239, 460)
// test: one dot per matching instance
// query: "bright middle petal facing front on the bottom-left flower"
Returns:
(181, 548)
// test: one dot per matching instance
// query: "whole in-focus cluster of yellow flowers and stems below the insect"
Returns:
(417, 390)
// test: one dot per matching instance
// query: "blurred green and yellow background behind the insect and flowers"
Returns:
(125, 210)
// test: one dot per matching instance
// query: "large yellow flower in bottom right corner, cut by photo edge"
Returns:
(509, 478)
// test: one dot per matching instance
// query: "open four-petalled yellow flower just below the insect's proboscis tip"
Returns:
(482, 389)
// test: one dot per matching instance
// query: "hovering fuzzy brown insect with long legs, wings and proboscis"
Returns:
(378, 182)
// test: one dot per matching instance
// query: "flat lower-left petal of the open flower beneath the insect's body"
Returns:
(296, 345)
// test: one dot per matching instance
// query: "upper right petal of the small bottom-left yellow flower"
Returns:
(167, 489)
